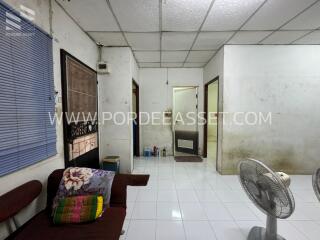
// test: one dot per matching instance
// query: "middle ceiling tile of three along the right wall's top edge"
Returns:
(283, 37)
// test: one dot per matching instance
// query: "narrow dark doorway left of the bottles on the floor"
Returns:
(136, 126)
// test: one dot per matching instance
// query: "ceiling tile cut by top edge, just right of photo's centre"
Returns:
(183, 15)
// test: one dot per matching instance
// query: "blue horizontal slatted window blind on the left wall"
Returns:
(26, 93)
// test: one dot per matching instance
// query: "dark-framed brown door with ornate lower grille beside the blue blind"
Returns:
(80, 99)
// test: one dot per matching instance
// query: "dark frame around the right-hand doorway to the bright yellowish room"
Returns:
(205, 127)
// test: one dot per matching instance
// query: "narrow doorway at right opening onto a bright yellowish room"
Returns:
(211, 107)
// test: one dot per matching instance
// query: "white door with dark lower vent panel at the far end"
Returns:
(185, 121)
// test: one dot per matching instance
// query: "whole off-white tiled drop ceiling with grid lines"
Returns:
(188, 33)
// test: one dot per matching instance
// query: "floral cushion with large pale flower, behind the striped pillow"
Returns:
(84, 181)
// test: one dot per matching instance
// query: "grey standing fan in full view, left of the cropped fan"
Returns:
(270, 192)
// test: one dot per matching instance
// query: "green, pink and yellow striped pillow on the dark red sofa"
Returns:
(78, 209)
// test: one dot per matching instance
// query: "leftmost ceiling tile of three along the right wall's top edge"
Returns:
(249, 37)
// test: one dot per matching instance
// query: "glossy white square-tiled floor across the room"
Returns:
(192, 201)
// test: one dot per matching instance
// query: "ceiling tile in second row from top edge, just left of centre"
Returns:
(144, 41)
